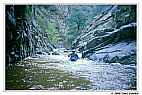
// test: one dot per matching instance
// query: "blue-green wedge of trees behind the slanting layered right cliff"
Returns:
(79, 17)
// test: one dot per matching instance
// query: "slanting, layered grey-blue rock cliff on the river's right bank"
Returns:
(111, 36)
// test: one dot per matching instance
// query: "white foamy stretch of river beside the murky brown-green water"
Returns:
(104, 76)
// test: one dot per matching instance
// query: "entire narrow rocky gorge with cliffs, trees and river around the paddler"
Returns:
(40, 38)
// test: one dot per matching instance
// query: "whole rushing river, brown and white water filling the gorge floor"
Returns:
(55, 72)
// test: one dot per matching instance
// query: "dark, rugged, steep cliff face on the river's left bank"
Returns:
(23, 35)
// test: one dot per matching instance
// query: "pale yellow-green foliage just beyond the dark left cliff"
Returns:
(48, 25)
